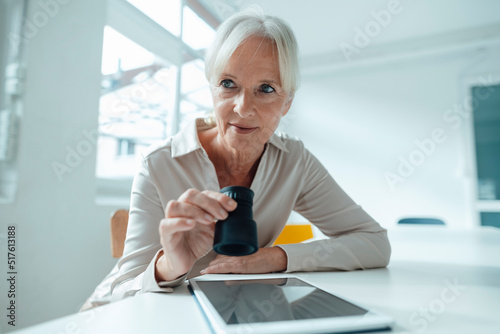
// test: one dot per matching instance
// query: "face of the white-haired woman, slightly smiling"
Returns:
(248, 98)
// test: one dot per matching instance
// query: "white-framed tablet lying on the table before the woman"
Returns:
(279, 304)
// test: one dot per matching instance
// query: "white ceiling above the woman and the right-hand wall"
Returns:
(321, 25)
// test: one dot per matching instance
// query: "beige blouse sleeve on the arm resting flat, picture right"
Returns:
(355, 240)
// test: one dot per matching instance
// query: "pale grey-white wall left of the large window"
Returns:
(63, 237)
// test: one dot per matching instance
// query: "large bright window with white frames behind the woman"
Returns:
(148, 96)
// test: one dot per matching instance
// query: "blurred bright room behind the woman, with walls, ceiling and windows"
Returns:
(400, 100)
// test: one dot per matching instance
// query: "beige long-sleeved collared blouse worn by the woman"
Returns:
(288, 178)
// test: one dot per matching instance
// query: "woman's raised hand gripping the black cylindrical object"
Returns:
(187, 232)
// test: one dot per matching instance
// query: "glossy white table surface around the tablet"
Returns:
(440, 280)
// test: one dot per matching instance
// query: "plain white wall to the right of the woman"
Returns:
(359, 120)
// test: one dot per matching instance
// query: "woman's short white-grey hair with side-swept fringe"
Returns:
(248, 23)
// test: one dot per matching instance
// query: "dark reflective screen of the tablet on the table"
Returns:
(277, 299)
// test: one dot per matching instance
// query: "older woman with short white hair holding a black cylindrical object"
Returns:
(252, 68)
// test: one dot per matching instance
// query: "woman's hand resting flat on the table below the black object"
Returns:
(266, 260)
